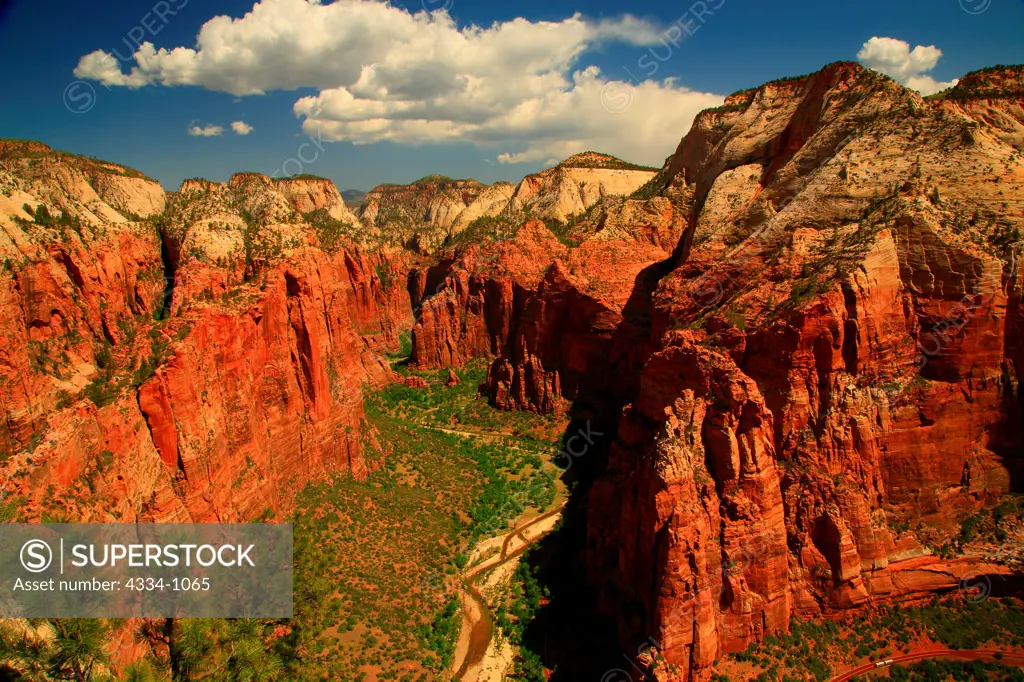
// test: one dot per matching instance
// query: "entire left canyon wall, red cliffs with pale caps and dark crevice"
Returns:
(204, 375)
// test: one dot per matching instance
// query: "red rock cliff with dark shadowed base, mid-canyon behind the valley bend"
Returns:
(550, 324)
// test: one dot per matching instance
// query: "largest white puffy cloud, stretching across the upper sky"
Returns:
(521, 89)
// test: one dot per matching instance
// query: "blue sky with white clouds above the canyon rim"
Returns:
(742, 45)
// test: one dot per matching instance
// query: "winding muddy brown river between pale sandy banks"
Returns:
(478, 620)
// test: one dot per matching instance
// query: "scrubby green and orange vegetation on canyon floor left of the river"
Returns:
(378, 561)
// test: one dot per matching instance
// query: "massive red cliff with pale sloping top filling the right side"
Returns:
(836, 355)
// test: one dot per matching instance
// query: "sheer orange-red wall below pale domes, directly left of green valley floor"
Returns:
(258, 399)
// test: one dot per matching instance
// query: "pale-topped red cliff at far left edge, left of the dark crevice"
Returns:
(78, 268)
